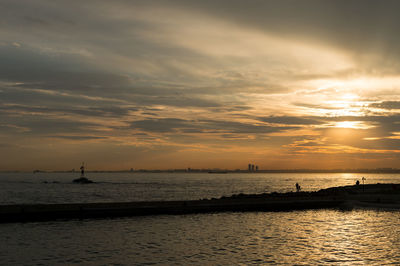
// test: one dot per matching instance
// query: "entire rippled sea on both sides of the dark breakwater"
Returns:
(310, 237)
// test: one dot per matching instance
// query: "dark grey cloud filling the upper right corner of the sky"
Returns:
(371, 28)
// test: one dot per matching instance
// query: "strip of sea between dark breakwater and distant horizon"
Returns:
(113, 187)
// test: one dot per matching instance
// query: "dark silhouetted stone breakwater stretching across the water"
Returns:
(376, 196)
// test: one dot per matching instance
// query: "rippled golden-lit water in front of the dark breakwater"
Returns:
(298, 237)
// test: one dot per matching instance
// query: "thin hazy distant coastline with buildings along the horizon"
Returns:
(213, 171)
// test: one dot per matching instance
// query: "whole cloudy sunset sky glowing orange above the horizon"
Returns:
(203, 84)
